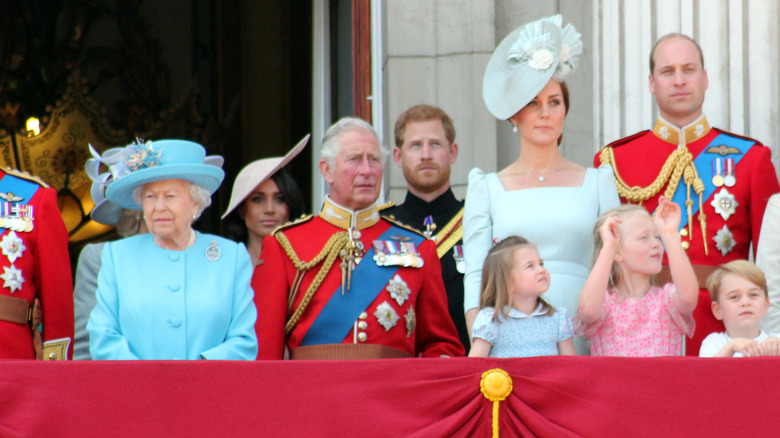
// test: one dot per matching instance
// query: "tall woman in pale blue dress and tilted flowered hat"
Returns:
(542, 196)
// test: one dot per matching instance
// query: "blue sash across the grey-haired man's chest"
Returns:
(339, 314)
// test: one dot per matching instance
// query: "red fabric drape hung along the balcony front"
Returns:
(553, 396)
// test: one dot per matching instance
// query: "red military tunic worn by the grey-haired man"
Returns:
(418, 325)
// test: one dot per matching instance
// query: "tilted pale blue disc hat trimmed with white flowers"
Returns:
(524, 63)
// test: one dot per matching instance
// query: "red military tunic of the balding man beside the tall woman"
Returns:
(638, 161)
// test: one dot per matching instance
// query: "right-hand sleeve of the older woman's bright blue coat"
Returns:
(241, 338)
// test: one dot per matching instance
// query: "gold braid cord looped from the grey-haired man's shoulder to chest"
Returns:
(329, 253)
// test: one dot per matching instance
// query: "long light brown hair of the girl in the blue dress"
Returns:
(497, 277)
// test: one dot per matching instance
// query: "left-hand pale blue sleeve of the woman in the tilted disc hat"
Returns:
(477, 236)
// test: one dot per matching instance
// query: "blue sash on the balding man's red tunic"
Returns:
(704, 168)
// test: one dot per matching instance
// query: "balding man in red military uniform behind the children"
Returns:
(721, 181)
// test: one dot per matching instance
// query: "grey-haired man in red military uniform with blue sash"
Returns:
(348, 283)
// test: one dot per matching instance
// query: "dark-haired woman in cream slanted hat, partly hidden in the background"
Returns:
(266, 196)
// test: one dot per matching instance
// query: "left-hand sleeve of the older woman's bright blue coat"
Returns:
(105, 336)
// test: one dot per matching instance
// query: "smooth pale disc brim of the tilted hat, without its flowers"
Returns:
(512, 80)
